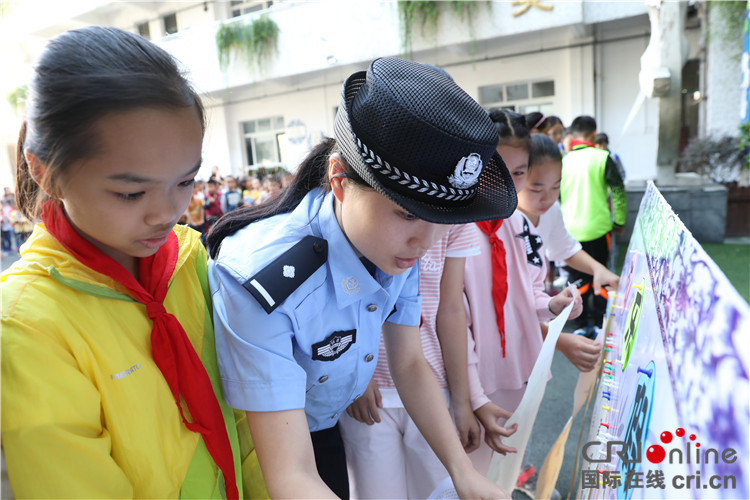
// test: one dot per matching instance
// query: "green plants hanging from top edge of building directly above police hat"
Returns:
(427, 13)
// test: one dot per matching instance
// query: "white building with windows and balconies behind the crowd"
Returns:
(562, 58)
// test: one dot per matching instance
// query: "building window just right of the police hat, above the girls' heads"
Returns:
(522, 97)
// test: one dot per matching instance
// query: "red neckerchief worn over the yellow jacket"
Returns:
(172, 351)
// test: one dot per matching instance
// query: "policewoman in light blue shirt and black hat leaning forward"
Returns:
(302, 286)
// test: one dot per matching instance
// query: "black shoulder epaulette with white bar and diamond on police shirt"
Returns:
(275, 282)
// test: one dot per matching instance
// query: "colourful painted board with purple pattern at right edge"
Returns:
(672, 410)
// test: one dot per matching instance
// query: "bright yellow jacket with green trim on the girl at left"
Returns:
(86, 411)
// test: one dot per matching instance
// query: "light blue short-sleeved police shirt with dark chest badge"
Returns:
(318, 347)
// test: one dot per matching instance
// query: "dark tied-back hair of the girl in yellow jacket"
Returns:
(81, 76)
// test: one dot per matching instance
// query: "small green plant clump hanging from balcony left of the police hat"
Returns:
(256, 41)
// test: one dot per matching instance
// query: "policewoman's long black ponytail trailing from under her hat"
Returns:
(312, 173)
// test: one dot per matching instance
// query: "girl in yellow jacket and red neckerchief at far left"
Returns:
(110, 386)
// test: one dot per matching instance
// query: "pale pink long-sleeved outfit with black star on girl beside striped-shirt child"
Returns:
(492, 376)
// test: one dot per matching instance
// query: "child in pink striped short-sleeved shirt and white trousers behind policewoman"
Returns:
(387, 455)
